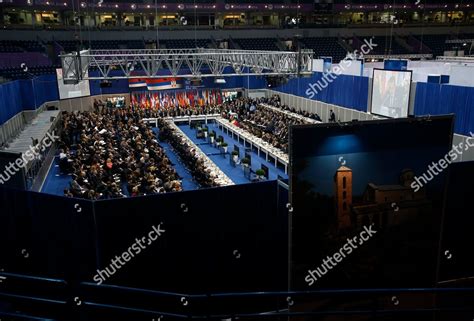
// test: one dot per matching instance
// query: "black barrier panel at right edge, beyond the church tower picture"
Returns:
(458, 238)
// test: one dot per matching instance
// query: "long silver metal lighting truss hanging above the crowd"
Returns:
(182, 63)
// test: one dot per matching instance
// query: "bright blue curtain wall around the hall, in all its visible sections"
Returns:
(346, 91)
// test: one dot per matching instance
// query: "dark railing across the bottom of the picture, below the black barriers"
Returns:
(281, 306)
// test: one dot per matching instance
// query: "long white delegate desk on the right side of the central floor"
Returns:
(261, 145)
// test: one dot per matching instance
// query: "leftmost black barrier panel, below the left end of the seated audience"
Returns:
(46, 235)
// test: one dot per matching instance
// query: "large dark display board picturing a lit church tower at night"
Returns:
(367, 205)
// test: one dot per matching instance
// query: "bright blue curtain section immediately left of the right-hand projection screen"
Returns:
(346, 91)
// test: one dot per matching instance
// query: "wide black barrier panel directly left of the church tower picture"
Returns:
(223, 239)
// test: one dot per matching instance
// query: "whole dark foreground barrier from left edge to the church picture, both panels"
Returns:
(232, 238)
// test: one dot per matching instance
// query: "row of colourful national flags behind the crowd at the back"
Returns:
(171, 99)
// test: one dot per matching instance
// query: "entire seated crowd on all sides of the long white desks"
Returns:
(112, 153)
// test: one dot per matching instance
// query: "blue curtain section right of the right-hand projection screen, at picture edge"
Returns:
(436, 99)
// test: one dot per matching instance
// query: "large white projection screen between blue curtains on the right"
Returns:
(390, 93)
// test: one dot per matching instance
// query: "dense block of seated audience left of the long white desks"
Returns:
(112, 153)
